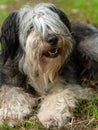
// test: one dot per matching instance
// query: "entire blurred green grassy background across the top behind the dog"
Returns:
(76, 10)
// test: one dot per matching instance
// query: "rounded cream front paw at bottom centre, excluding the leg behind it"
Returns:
(54, 112)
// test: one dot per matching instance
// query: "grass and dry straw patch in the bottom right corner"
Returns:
(86, 116)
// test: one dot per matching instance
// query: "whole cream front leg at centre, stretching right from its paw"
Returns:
(56, 109)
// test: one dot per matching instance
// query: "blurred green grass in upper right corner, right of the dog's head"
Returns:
(80, 10)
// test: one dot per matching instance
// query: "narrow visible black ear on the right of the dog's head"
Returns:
(62, 16)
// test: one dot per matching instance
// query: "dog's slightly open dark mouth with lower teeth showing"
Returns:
(52, 53)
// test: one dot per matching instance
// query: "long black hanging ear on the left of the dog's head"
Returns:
(9, 36)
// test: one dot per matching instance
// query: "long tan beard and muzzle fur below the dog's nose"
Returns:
(44, 60)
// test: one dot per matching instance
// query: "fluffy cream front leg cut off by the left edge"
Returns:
(15, 103)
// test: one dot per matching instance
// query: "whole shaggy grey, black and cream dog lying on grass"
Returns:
(41, 60)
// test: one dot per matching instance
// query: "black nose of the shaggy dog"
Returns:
(52, 39)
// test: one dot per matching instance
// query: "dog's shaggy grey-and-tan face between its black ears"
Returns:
(45, 38)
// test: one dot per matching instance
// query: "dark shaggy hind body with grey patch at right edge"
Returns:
(86, 36)
